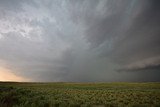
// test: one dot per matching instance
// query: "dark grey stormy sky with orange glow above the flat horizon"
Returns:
(80, 40)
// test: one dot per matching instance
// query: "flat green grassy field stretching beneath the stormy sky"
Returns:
(79, 94)
